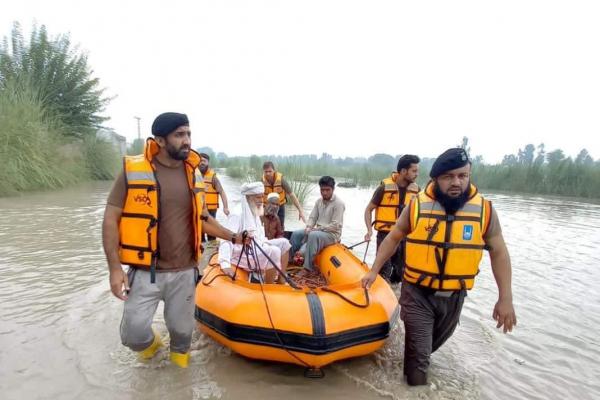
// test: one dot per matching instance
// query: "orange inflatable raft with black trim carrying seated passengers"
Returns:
(308, 327)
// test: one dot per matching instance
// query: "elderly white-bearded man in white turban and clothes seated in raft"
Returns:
(249, 220)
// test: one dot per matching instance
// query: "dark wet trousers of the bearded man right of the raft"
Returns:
(429, 321)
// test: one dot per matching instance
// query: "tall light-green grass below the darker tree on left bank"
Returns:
(35, 155)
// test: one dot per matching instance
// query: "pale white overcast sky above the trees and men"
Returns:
(350, 78)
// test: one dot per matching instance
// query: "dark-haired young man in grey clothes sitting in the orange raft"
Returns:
(324, 226)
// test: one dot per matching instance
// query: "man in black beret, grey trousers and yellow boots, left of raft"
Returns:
(153, 222)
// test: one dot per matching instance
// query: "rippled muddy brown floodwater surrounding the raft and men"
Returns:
(59, 331)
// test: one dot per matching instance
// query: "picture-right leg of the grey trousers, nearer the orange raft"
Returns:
(178, 293)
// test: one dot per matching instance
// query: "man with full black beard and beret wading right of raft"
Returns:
(447, 227)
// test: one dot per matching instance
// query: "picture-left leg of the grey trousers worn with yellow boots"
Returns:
(138, 312)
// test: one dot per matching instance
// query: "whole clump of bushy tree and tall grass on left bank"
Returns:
(50, 114)
